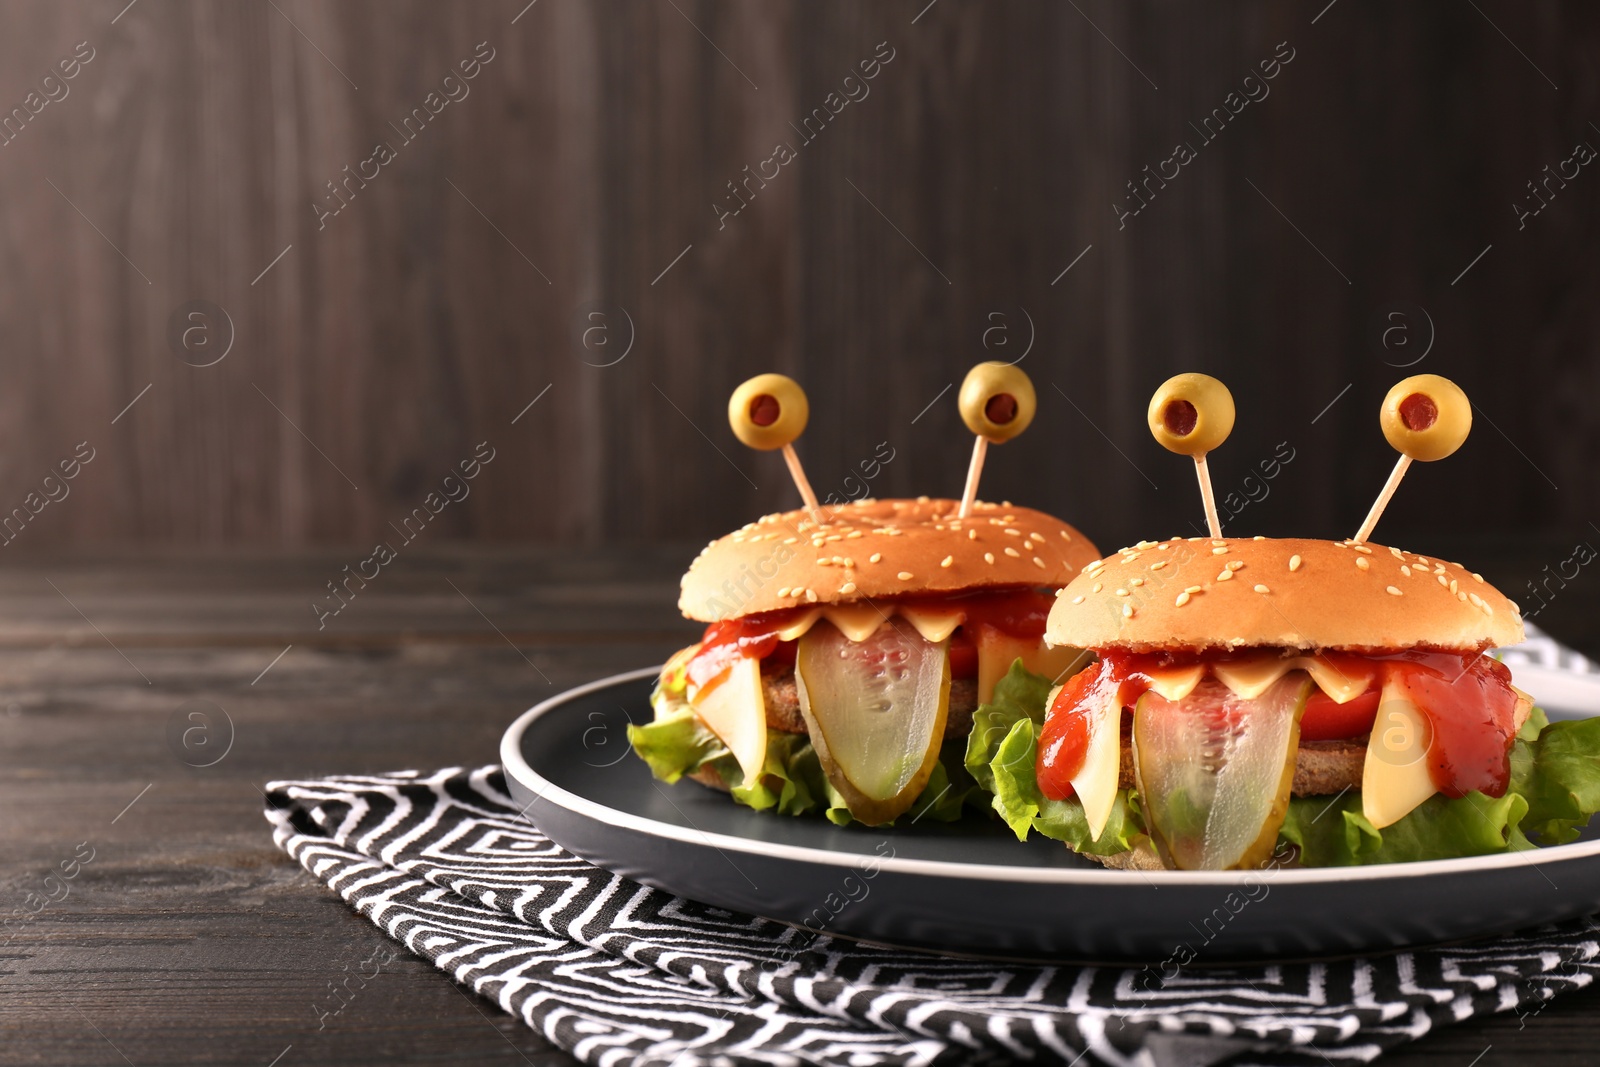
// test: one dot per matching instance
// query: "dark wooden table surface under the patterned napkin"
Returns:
(190, 938)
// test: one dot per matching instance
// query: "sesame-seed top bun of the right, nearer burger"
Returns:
(1196, 594)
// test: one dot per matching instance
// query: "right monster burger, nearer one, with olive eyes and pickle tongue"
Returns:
(1313, 701)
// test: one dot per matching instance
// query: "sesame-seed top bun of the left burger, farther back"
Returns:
(871, 549)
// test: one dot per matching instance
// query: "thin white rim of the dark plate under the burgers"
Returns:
(545, 789)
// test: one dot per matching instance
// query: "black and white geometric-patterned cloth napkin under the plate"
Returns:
(622, 975)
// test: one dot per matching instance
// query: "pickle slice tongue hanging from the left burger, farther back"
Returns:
(876, 713)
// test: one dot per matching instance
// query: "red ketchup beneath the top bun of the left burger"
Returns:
(1014, 612)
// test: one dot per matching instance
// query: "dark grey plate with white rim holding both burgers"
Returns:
(972, 887)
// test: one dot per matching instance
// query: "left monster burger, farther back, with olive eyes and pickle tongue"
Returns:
(847, 645)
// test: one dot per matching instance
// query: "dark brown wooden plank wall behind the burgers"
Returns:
(921, 231)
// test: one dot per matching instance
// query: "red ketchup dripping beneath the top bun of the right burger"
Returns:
(1465, 697)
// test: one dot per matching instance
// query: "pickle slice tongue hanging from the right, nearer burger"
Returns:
(1215, 772)
